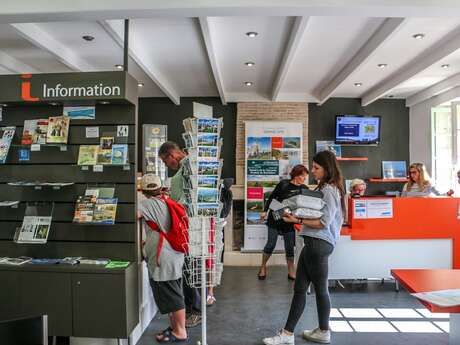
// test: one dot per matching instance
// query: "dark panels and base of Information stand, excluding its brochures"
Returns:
(81, 300)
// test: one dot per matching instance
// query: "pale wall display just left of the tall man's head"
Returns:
(154, 136)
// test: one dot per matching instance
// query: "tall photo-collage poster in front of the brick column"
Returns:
(271, 150)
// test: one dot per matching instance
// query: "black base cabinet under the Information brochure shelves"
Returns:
(79, 301)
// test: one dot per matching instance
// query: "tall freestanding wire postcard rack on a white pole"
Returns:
(202, 171)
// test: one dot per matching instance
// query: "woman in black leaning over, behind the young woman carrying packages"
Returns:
(283, 190)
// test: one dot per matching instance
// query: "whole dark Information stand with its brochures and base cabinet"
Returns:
(67, 215)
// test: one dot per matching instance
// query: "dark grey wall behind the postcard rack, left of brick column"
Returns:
(163, 112)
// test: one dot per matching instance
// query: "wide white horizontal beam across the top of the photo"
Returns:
(33, 11)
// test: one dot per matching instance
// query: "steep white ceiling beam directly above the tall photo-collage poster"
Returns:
(295, 38)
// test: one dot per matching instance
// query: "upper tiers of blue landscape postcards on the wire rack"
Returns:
(202, 167)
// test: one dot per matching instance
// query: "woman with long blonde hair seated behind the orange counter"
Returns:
(419, 184)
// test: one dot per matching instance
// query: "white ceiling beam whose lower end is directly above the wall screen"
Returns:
(439, 51)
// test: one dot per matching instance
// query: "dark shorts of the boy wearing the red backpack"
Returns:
(168, 295)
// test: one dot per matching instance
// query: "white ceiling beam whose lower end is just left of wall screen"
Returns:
(389, 27)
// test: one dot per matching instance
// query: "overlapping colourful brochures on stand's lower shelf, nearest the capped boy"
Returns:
(97, 206)
